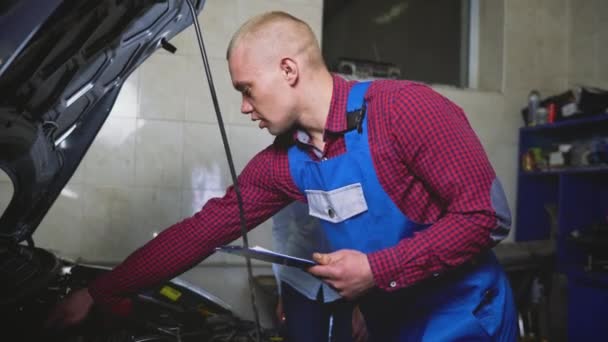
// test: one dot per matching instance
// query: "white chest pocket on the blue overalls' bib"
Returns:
(337, 205)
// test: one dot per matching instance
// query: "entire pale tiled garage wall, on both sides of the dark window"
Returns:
(159, 157)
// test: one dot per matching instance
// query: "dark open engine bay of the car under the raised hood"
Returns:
(169, 312)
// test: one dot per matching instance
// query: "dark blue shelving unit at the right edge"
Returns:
(557, 201)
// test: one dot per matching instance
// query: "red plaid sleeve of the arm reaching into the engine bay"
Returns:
(264, 185)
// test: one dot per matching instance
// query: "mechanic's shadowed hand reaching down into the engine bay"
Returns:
(71, 310)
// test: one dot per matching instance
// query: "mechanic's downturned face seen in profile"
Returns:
(266, 95)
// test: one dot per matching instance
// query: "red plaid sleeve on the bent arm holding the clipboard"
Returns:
(436, 142)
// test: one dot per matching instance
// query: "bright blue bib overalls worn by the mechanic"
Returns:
(472, 303)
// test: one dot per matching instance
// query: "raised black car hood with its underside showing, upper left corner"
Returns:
(62, 65)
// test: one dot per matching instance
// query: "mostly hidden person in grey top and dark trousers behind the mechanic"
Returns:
(309, 308)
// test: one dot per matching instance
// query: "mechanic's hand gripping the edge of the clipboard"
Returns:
(347, 271)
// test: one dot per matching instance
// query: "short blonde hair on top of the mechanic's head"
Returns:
(280, 23)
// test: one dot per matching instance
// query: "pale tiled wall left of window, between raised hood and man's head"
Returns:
(159, 157)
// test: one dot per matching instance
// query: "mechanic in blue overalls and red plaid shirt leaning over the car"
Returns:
(407, 197)
